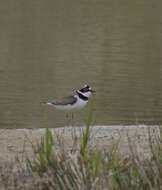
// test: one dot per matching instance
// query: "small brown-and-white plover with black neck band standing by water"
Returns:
(76, 101)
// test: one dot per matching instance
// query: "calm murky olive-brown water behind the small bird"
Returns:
(49, 48)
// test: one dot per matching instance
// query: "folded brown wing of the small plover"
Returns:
(65, 100)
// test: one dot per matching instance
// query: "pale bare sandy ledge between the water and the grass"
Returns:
(18, 142)
